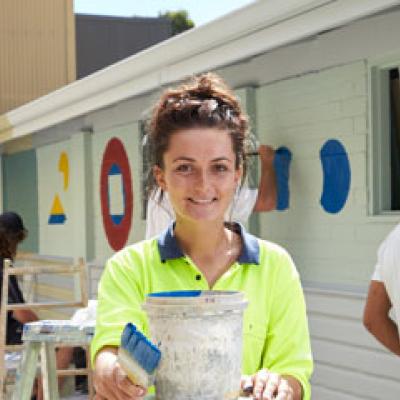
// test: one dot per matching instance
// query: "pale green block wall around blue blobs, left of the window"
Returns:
(302, 113)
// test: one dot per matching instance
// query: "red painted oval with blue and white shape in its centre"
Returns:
(116, 194)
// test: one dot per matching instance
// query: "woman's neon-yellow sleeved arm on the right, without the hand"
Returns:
(287, 348)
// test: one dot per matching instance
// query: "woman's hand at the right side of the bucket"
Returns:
(266, 385)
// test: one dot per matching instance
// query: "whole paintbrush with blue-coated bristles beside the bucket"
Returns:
(138, 357)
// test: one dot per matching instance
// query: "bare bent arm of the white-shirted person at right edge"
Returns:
(377, 320)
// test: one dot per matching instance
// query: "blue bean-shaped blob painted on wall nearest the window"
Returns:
(336, 176)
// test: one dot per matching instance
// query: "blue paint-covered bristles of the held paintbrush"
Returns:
(145, 353)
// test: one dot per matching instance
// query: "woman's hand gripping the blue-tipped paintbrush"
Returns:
(110, 381)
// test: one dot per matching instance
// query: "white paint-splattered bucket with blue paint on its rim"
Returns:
(200, 336)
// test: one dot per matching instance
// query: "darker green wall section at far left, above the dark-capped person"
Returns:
(20, 193)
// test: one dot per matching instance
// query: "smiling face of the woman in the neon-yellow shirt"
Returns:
(199, 174)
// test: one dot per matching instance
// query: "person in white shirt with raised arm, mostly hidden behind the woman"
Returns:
(160, 213)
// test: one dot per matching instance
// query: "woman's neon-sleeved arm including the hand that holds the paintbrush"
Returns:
(120, 295)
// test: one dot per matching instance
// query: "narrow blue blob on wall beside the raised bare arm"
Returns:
(282, 159)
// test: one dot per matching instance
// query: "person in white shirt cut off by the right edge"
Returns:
(384, 294)
